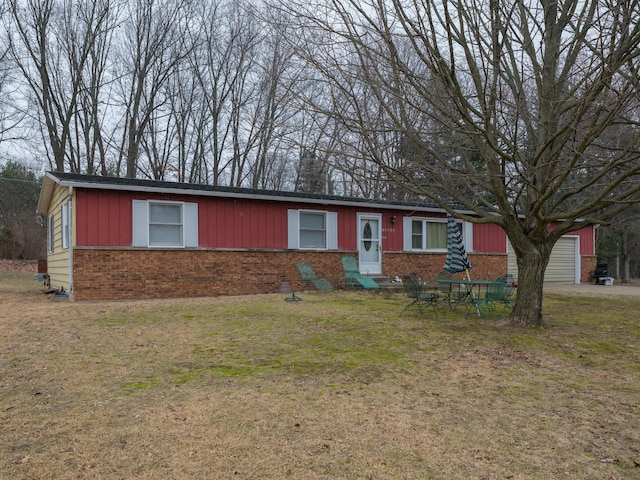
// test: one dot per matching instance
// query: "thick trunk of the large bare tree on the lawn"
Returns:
(527, 310)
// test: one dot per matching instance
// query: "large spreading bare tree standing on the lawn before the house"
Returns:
(529, 88)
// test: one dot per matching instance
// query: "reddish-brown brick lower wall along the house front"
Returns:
(109, 274)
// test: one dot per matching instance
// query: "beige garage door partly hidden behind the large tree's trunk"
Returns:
(563, 264)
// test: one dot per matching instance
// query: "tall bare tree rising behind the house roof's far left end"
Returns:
(50, 42)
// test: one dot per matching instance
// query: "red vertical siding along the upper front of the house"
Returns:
(104, 218)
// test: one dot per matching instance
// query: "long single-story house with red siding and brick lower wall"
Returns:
(123, 238)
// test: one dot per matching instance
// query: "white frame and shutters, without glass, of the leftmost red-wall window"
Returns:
(142, 224)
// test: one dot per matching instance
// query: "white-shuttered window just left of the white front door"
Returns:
(311, 229)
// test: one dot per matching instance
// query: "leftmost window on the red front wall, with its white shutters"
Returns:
(165, 224)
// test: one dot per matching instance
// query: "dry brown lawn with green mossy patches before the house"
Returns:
(336, 386)
